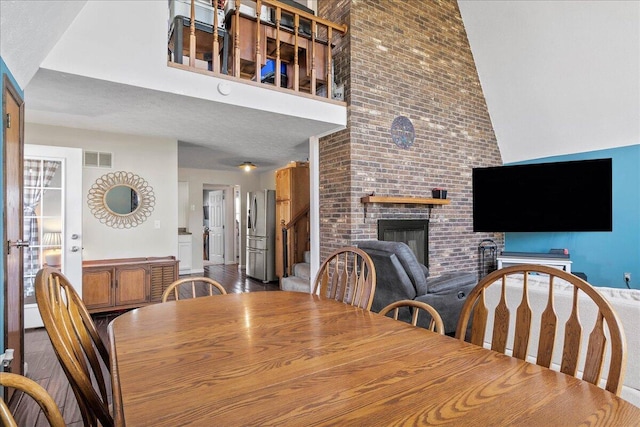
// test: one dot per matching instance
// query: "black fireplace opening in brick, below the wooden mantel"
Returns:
(413, 232)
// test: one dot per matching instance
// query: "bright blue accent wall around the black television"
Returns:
(603, 256)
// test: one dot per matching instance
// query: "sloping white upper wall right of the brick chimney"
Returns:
(559, 77)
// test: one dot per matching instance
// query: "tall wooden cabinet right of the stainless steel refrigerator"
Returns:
(292, 203)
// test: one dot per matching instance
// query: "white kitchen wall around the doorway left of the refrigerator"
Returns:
(198, 178)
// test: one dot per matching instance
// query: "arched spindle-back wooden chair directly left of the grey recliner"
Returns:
(347, 275)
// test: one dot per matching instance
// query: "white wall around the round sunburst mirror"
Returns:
(153, 159)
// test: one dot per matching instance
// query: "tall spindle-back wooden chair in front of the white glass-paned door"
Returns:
(77, 345)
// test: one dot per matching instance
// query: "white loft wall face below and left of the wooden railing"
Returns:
(126, 42)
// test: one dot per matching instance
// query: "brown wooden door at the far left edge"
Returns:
(8, 89)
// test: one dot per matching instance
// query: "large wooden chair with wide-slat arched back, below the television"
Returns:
(599, 341)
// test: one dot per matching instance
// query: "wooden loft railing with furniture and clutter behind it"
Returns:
(273, 43)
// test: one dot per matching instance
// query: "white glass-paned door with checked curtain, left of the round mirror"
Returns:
(52, 218)
